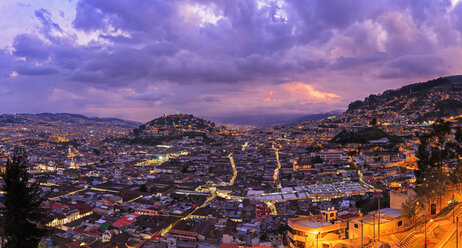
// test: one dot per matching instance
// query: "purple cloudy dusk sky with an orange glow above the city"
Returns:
(138, 59)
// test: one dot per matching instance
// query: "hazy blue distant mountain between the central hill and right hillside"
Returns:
(271, 119)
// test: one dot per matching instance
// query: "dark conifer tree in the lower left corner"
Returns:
(24, 217)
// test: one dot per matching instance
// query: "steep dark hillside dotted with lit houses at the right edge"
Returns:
(413, 103)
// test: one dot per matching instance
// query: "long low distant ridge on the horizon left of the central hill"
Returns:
(66, 118)
